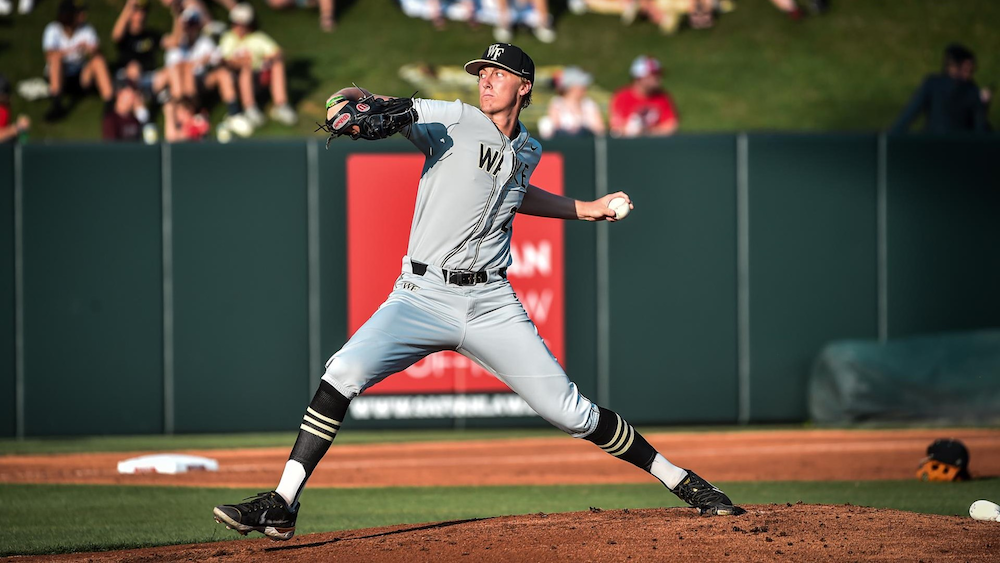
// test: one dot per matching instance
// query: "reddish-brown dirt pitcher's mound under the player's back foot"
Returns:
(766, 533)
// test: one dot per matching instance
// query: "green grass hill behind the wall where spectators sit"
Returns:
(852, 69)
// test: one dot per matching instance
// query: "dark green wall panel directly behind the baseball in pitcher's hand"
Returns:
(672, 280)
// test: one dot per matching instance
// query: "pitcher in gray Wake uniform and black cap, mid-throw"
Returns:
(453, 292)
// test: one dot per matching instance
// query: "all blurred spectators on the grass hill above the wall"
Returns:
(178, 76)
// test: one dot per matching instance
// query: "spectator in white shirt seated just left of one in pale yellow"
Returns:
(193, 65)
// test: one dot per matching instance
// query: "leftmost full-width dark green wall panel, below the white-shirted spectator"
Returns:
(92, 290)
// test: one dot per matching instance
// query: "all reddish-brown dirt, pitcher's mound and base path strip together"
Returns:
(766, 533)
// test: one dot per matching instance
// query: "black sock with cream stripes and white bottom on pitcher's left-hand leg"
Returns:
(319, 426)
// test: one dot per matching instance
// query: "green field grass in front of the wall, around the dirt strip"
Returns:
(38, 519)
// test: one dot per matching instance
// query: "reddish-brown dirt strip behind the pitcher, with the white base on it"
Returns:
(818, 455)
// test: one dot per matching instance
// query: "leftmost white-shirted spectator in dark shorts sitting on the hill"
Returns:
(72, 60)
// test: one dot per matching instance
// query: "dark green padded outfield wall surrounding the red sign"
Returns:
(151, 289)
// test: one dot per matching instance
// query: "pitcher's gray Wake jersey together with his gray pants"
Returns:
(472, 184)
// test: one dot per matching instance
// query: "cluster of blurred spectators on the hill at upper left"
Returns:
(182, 73)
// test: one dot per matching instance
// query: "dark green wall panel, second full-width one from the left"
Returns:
(240, 285)
